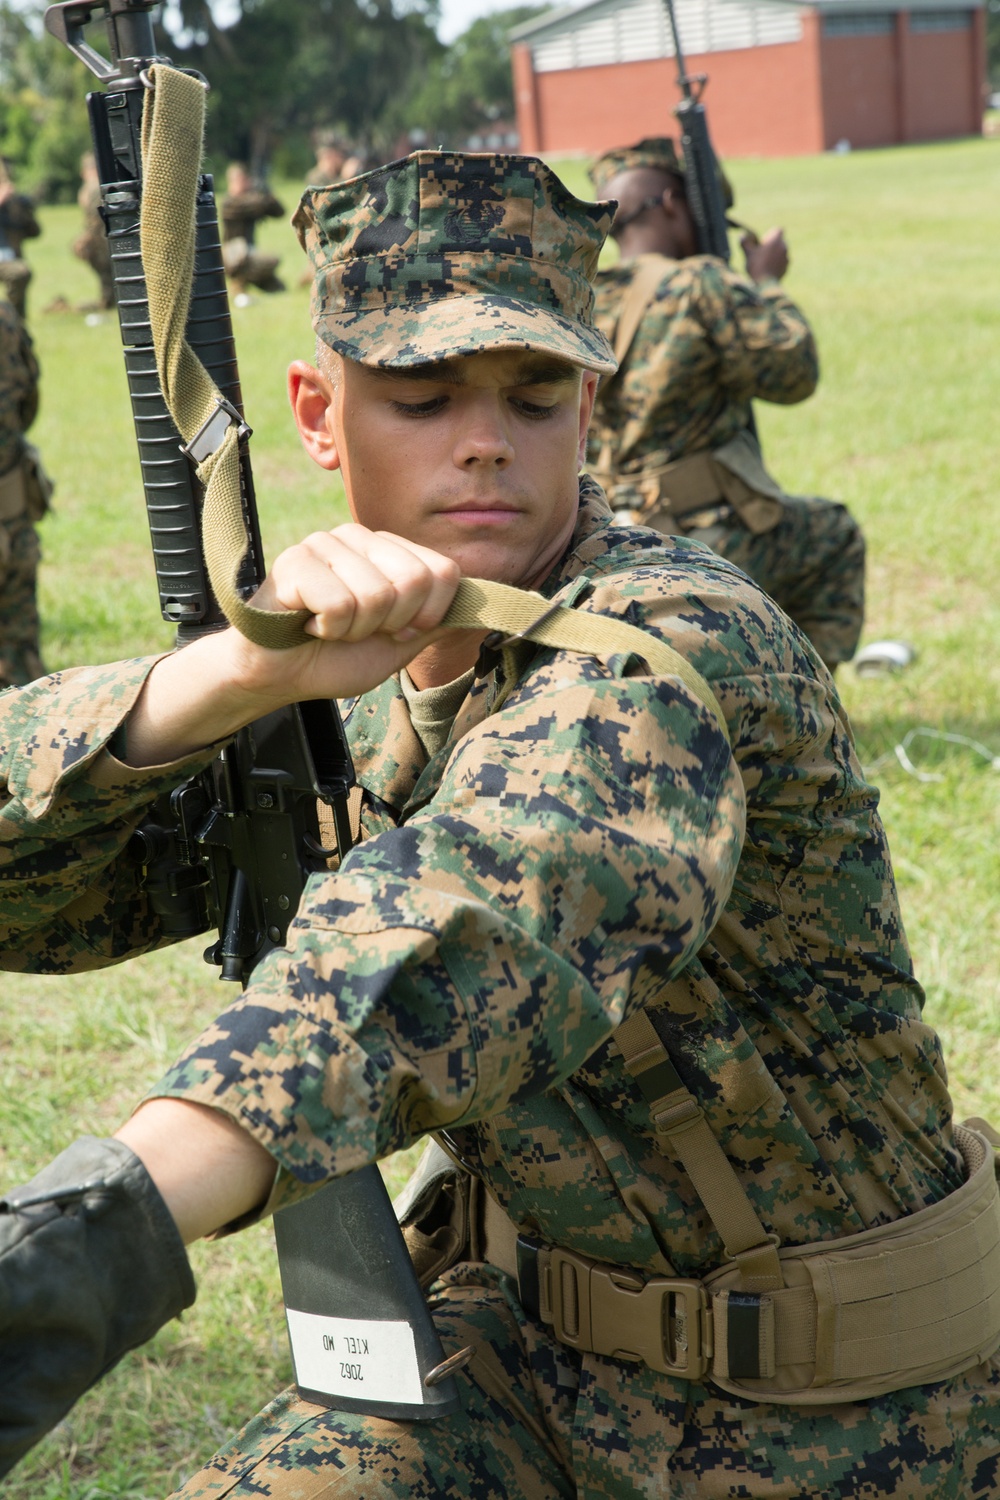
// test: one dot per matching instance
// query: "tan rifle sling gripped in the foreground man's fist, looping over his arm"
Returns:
(173, 125)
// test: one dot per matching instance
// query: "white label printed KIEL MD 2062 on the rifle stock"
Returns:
(362, 1358)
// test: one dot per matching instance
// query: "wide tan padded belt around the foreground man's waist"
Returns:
(900, 1306)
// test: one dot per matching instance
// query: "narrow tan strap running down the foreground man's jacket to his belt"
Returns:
(689, 1138)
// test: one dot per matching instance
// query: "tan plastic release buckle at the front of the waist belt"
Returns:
(665, 1322)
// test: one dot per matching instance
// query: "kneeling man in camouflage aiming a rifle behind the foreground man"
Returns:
(672, 439)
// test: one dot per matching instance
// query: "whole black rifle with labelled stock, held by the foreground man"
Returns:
(232, 850)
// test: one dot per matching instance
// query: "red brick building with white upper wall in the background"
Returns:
(786, 77)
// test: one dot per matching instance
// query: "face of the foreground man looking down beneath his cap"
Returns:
(476, 457)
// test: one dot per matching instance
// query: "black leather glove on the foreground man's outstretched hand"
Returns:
(91, 1267)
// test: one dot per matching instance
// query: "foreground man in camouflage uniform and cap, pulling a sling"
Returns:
(573, 845)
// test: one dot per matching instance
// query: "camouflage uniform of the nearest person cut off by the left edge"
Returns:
(20, 659)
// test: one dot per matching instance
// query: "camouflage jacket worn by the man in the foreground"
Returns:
(588, 847)
